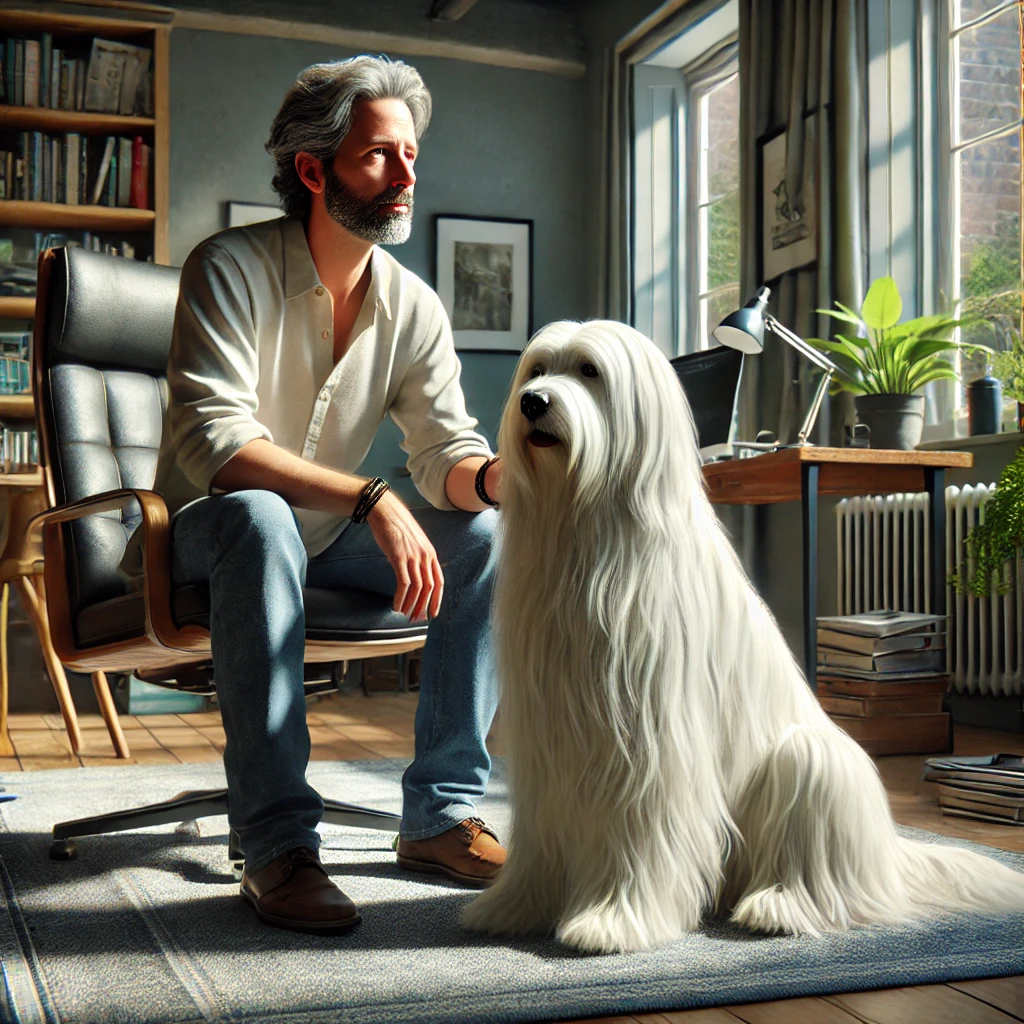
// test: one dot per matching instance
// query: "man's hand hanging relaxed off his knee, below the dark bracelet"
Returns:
(420, 581)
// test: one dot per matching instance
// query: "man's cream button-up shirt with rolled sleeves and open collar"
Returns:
(252, 356)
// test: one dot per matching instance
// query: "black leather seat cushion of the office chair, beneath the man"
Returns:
(350, 616)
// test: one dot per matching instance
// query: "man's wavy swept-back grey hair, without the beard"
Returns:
(317, 115)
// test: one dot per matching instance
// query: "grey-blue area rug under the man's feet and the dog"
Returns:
(147, 928)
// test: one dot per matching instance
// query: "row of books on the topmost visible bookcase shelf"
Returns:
(114, 78)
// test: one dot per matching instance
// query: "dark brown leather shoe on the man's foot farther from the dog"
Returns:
(294, 891)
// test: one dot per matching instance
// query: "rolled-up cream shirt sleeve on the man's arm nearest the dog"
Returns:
(431, 411)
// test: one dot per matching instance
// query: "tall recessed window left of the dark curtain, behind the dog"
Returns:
(687, 185)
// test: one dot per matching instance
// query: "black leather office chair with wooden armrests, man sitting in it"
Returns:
(103, 332)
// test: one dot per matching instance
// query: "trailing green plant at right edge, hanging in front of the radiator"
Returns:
(993, 543)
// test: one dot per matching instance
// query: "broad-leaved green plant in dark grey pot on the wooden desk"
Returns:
(885, 363)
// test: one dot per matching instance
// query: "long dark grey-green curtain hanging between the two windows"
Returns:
(801, 58)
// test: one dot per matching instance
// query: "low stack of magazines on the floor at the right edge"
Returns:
(990, 789)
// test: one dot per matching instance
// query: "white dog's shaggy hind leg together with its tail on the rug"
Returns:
(821, 852)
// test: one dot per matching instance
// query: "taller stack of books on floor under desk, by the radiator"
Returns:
(881, 676)
